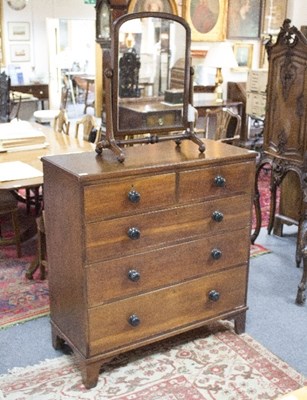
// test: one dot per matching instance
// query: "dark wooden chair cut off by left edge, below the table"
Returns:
(9, 206)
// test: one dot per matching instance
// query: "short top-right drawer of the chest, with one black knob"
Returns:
(217, 181)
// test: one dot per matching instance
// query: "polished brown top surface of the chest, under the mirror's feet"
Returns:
(148, 159)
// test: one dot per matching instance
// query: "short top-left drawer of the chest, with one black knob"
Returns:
(109, 199)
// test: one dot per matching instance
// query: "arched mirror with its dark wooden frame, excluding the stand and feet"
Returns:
(152, 73)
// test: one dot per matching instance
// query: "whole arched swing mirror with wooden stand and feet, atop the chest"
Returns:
(148, 81)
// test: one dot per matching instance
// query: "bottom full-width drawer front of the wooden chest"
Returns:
(165, 310)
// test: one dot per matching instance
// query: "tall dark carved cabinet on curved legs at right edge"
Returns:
(285, 137)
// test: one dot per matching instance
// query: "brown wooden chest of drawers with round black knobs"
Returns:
(147, 249)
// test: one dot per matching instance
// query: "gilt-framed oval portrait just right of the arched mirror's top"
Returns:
(206, 19)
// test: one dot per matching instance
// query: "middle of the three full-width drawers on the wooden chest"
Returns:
(128, 276)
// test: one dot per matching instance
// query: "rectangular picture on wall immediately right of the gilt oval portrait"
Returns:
(244, 19)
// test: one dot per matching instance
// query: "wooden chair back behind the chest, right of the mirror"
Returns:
(227, 125)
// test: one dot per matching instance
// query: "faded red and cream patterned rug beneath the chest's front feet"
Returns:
(193, 366)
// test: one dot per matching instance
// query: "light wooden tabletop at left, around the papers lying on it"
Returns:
(58, 143)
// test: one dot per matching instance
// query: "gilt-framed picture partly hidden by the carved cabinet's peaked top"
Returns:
(274, 14)
